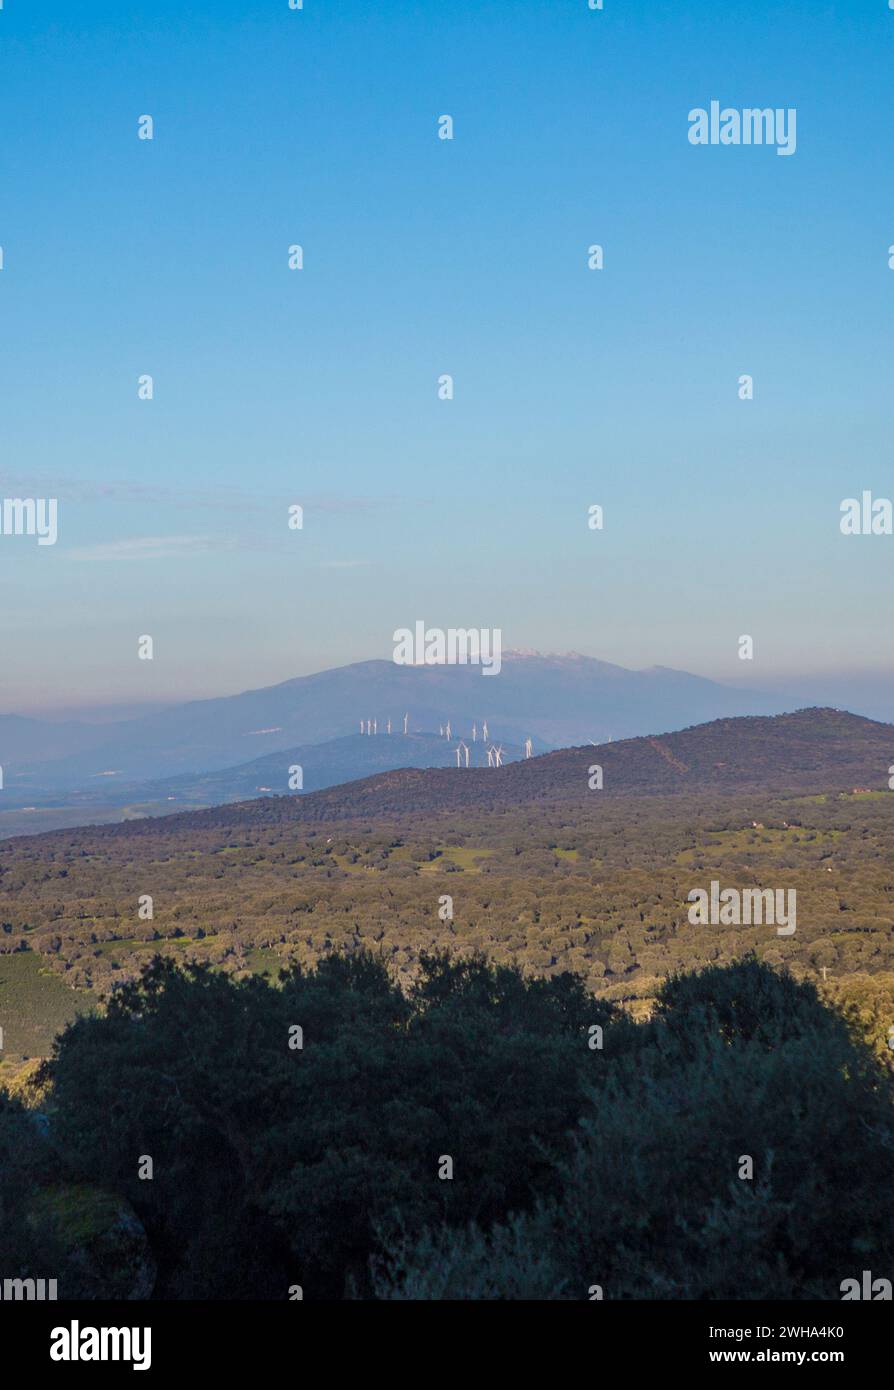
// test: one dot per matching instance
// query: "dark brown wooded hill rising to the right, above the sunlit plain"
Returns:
(811, 750)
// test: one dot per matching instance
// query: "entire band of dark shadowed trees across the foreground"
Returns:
(479, 1135)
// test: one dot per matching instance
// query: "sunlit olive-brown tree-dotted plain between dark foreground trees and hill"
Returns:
(599, 890)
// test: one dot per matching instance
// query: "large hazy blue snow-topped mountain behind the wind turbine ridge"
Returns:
(555, 700)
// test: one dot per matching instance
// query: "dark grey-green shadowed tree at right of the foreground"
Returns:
(742, 1063)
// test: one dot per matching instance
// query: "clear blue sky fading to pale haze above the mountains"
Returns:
(422, 258)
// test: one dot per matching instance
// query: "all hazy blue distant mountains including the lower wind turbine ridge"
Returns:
(219, 751)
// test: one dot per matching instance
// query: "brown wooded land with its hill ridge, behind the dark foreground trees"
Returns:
(540, 869)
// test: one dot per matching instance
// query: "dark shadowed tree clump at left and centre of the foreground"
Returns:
(273, 1166)
